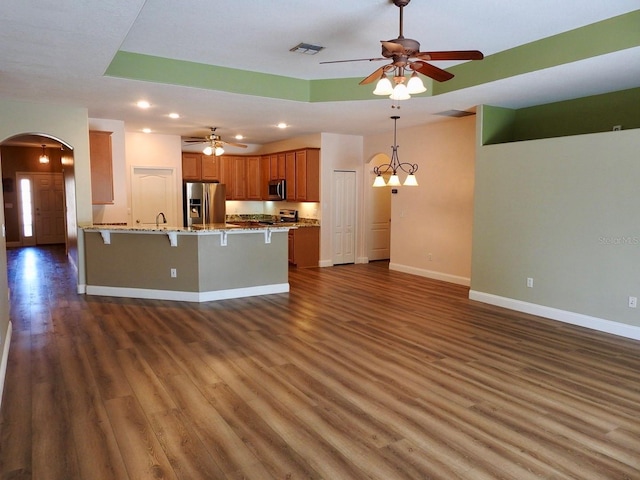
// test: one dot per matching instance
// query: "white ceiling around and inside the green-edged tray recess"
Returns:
(56, 51)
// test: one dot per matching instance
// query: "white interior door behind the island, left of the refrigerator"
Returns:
(153, 191)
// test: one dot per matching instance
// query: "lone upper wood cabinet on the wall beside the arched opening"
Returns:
(101, 167)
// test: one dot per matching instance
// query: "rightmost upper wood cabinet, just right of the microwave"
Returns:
(303, 175)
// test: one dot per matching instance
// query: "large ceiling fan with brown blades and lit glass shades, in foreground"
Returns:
(405, 55)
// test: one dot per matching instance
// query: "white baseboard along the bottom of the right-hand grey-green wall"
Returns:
(594, 323)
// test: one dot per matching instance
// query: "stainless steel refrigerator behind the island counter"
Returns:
(204, 203)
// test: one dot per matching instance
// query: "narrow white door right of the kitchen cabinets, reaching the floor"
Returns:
(344, 214)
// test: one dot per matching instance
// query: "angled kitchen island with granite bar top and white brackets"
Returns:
(210, 263)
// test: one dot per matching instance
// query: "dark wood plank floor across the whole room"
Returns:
(358, 373)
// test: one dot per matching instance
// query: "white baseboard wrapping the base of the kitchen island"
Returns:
(187, 296)
